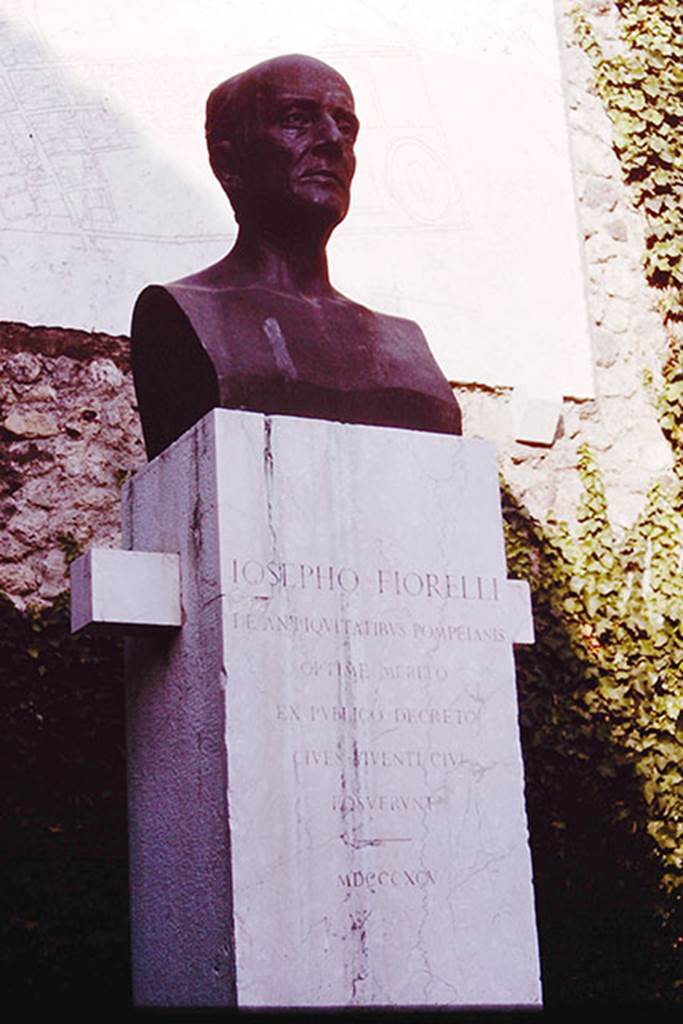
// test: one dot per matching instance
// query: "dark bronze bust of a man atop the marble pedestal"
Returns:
(264, 329)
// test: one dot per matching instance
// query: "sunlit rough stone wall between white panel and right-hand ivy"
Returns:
(620, 424)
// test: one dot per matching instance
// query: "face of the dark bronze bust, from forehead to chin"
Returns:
(300, 158)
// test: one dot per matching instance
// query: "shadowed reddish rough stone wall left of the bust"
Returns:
(69, 438)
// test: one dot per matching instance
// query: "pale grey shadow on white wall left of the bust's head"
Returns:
(89, 211)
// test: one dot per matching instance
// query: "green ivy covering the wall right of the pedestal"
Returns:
(602, 702)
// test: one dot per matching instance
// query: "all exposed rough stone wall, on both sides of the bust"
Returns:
(69, 426)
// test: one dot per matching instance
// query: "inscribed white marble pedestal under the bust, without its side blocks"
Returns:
(325, 775)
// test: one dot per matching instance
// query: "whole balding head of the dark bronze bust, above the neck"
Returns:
(281, 139)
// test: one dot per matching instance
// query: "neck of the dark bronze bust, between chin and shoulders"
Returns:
(295, 266)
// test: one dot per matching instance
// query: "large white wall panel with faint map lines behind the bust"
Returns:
(463, 215)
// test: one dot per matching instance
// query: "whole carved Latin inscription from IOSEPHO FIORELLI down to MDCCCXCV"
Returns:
(378, 715)
